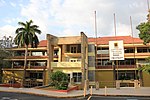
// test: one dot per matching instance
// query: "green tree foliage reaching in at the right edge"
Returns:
(144, 34)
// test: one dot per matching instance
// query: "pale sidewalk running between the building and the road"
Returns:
(124, 91)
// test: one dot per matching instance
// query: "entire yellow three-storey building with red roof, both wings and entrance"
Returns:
(82, 58)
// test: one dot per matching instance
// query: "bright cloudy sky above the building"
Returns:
(70, 17)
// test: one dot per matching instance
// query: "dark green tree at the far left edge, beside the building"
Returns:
(4, 54)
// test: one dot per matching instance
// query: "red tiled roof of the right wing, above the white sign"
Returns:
(126, 40)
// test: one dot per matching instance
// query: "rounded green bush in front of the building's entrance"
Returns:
(59, 80)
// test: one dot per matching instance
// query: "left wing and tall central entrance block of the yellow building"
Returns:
(68, 54)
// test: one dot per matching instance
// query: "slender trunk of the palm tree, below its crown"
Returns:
(25, 66)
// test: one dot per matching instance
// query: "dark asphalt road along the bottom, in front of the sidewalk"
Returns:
(18, 96)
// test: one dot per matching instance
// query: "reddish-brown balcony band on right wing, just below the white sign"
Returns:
(119, 66)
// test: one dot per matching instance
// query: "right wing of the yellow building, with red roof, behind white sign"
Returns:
(108, 72)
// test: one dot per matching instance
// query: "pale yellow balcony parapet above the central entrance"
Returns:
(66, 64)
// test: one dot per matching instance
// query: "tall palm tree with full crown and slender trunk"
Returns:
(26, 35)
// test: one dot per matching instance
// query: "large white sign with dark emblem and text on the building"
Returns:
(116, 50)
